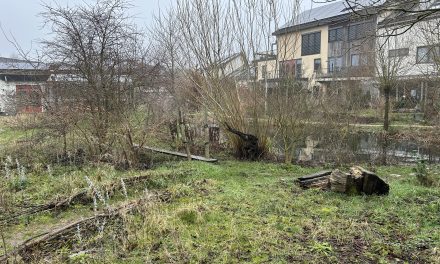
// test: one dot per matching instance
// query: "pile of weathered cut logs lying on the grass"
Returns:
(357, 181)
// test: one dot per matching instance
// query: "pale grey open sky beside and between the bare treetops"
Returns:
(20, 18)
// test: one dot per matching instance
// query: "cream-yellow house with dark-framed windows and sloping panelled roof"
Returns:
(323, 45)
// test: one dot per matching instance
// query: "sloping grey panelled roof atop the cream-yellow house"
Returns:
(328, 11)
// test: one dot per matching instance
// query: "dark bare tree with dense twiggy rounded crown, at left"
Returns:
(98, 51)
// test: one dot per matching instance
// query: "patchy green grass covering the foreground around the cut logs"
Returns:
(231, 212)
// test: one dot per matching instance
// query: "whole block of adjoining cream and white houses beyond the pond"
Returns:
(333, 45)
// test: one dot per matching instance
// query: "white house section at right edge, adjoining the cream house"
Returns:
(412, 51)
